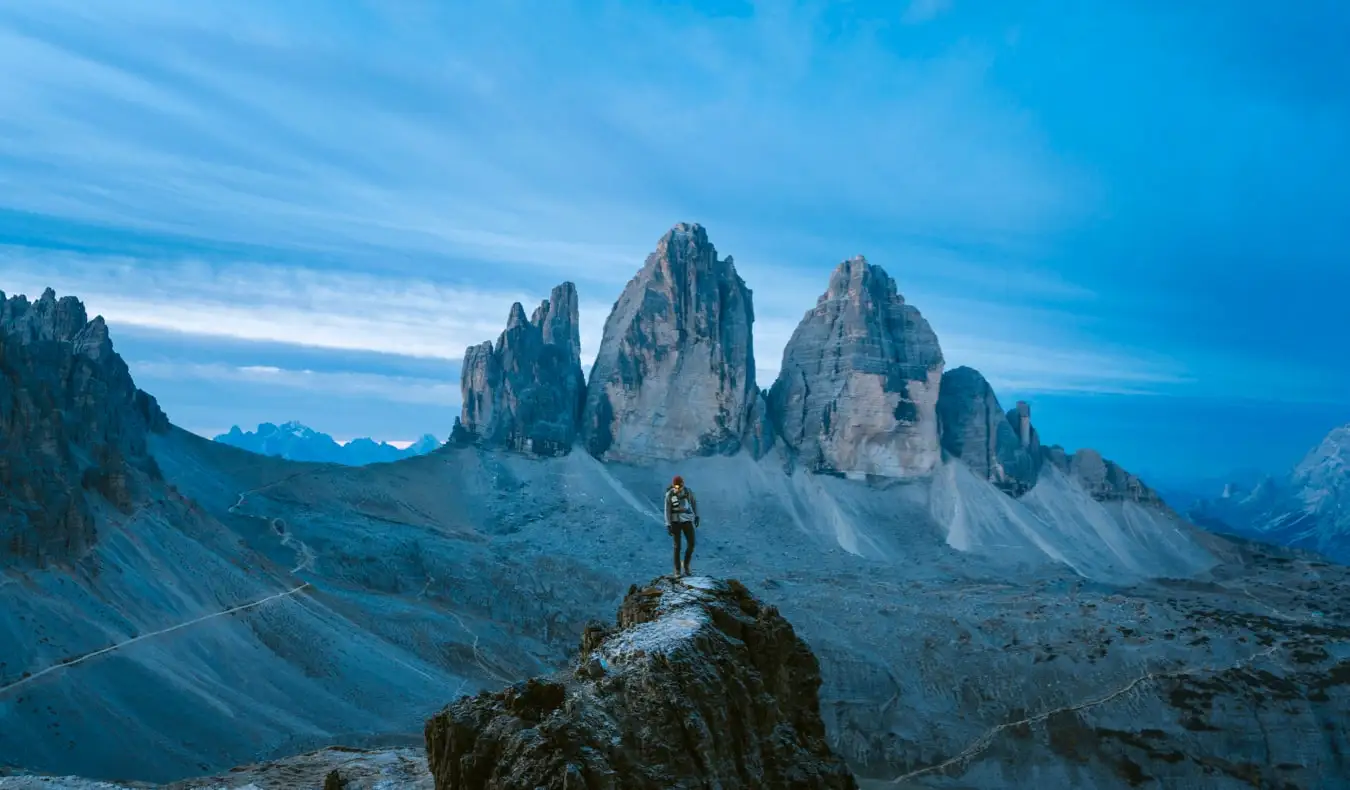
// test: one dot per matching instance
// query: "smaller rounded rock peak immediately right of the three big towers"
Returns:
(1001, 448)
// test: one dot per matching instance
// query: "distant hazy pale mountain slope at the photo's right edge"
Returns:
(1309, 508)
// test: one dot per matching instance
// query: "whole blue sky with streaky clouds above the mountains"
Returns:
(1135, 215)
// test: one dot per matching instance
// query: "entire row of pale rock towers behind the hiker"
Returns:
(859, 391)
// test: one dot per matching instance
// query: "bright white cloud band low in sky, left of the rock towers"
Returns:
(284, 305)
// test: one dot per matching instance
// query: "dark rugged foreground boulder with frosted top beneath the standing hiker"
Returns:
(700, 687)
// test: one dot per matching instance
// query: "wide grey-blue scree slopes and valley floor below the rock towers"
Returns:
(469, 571)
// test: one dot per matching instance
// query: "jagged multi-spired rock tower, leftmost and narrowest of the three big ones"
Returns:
(526, 394)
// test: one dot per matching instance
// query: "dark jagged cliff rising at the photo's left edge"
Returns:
(74, 430)
